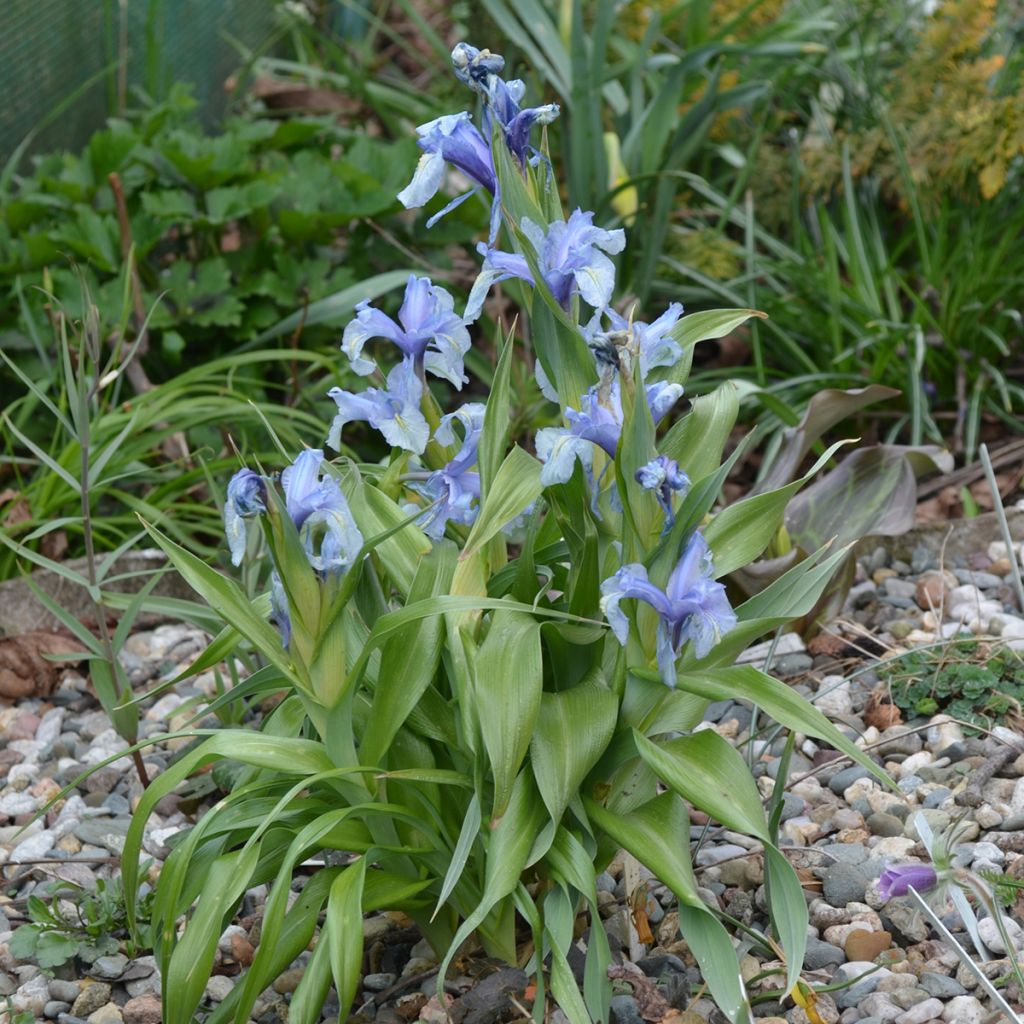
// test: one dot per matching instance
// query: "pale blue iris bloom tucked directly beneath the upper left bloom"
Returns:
(395, 412)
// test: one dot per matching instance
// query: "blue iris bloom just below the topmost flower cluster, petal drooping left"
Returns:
(571, 257)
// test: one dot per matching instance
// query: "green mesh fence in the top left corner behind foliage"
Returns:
(51, 50)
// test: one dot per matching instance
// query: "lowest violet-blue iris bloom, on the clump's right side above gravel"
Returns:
(694, 607)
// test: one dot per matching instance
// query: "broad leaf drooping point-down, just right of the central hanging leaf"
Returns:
(572, 734)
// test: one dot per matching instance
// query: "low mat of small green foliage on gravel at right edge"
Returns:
(973, 682)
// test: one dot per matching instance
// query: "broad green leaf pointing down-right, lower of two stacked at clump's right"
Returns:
(658, 834)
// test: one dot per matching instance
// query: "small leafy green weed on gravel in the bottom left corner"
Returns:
(78, 922)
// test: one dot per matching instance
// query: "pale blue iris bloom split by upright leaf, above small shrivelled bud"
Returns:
(600, 423)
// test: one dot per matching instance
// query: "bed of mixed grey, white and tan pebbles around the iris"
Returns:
(842, 827)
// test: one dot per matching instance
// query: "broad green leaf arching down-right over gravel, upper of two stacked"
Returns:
(711, 774)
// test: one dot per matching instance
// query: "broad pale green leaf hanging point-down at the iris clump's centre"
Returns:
(508, 679)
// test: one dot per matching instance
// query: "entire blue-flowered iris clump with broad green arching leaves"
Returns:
(492, 666)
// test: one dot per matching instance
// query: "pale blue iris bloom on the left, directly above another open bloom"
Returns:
(429, 332)
